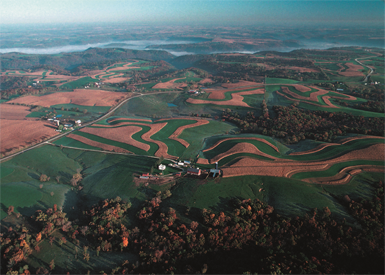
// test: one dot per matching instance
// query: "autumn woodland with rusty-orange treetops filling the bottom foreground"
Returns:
(250, 238)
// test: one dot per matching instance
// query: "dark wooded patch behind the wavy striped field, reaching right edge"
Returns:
(295, 124)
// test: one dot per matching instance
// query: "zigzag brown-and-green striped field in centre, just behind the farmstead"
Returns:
(162, 137)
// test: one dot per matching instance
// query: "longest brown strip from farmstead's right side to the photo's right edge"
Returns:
(282, 168)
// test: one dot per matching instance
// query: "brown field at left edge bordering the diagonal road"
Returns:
(21, 133)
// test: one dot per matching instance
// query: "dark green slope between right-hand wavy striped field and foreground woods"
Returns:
(289, 197)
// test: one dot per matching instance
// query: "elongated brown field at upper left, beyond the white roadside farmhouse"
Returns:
(85, 97)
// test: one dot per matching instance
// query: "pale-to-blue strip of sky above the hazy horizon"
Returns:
(188, 12)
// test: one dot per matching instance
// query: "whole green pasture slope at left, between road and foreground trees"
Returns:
(104, 176)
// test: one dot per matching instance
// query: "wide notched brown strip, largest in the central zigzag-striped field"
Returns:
(120, 134)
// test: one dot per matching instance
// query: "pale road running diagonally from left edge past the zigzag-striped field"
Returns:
(48, 141)
